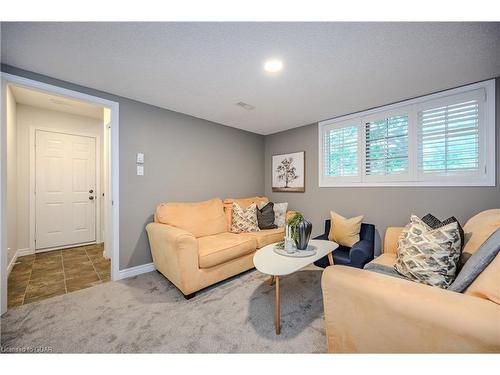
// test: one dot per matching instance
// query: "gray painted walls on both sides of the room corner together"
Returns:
(190, 159)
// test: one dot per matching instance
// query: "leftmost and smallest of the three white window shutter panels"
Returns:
(341, 151)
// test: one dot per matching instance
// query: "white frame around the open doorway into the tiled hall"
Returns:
(112, 220)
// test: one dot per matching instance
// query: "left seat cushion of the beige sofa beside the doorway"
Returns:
(223, 247)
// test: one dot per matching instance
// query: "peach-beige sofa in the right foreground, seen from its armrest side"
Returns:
(368, 312)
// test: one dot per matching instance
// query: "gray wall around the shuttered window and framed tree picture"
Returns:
(382, 206)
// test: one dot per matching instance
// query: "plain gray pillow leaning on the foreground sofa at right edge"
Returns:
(477, 263)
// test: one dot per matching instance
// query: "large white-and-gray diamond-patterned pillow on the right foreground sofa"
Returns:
(428, 256)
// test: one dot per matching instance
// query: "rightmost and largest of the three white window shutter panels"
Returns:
(448, 136)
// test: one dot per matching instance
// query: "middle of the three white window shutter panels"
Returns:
(386, 146)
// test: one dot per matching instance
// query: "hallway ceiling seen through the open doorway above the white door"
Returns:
(58, 103)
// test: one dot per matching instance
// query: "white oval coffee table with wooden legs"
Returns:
(275, 265)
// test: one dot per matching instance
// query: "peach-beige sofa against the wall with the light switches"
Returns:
(192, 245)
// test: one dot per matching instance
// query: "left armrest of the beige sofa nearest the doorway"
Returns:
(175, 254)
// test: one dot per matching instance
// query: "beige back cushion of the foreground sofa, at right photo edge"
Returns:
(479, 228)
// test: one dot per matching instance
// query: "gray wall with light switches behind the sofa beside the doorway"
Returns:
(186, 159)
